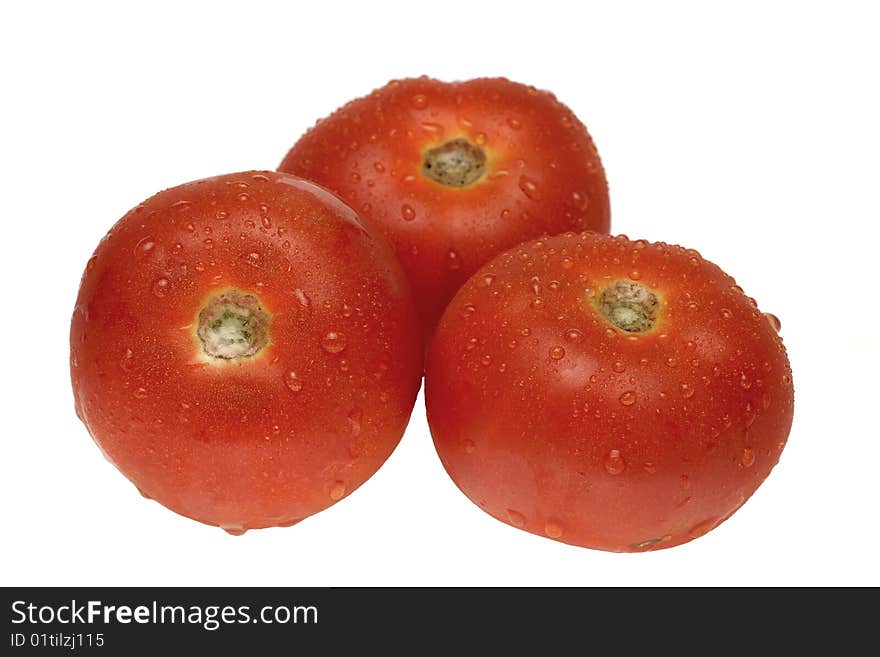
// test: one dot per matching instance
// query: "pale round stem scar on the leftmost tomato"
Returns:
(233, 325)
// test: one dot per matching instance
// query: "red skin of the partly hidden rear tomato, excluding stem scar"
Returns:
(370, 152)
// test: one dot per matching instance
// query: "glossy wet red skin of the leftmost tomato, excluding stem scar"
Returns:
(234, 445)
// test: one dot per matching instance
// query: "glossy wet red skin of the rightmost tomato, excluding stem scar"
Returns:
(698, 409)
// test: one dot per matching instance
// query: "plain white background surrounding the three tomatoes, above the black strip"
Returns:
(751, 134)
